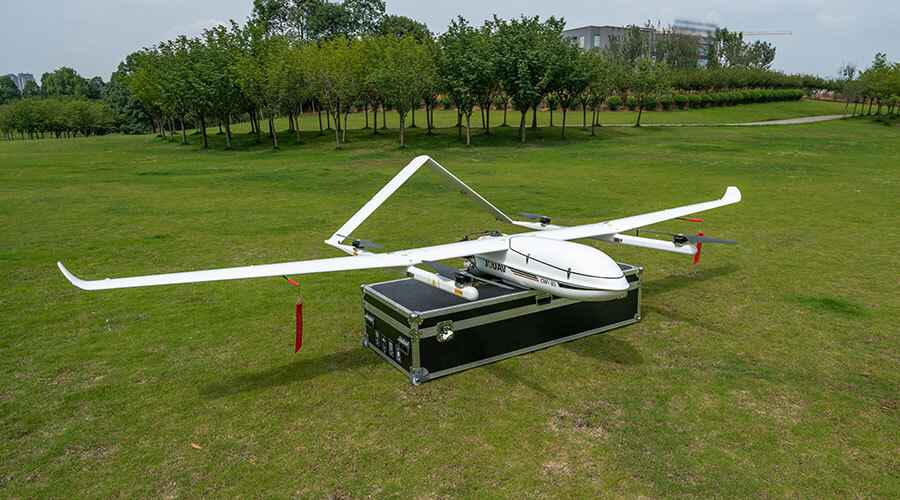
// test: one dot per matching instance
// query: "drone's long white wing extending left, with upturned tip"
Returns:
(402, 258)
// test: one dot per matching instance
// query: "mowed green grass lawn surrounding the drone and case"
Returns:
(771, 369)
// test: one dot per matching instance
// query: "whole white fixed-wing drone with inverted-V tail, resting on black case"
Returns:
(544, 259)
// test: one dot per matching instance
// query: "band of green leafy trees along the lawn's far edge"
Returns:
(296, 58)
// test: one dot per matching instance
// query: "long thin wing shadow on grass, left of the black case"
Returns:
(297, 371)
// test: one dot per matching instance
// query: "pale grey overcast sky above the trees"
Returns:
(94, 35)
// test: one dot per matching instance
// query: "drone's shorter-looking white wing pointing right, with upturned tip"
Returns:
(732, 195)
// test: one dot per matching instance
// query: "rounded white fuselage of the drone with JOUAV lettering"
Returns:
(561, 268)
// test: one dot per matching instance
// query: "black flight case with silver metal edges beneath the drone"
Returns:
(428, 333)
